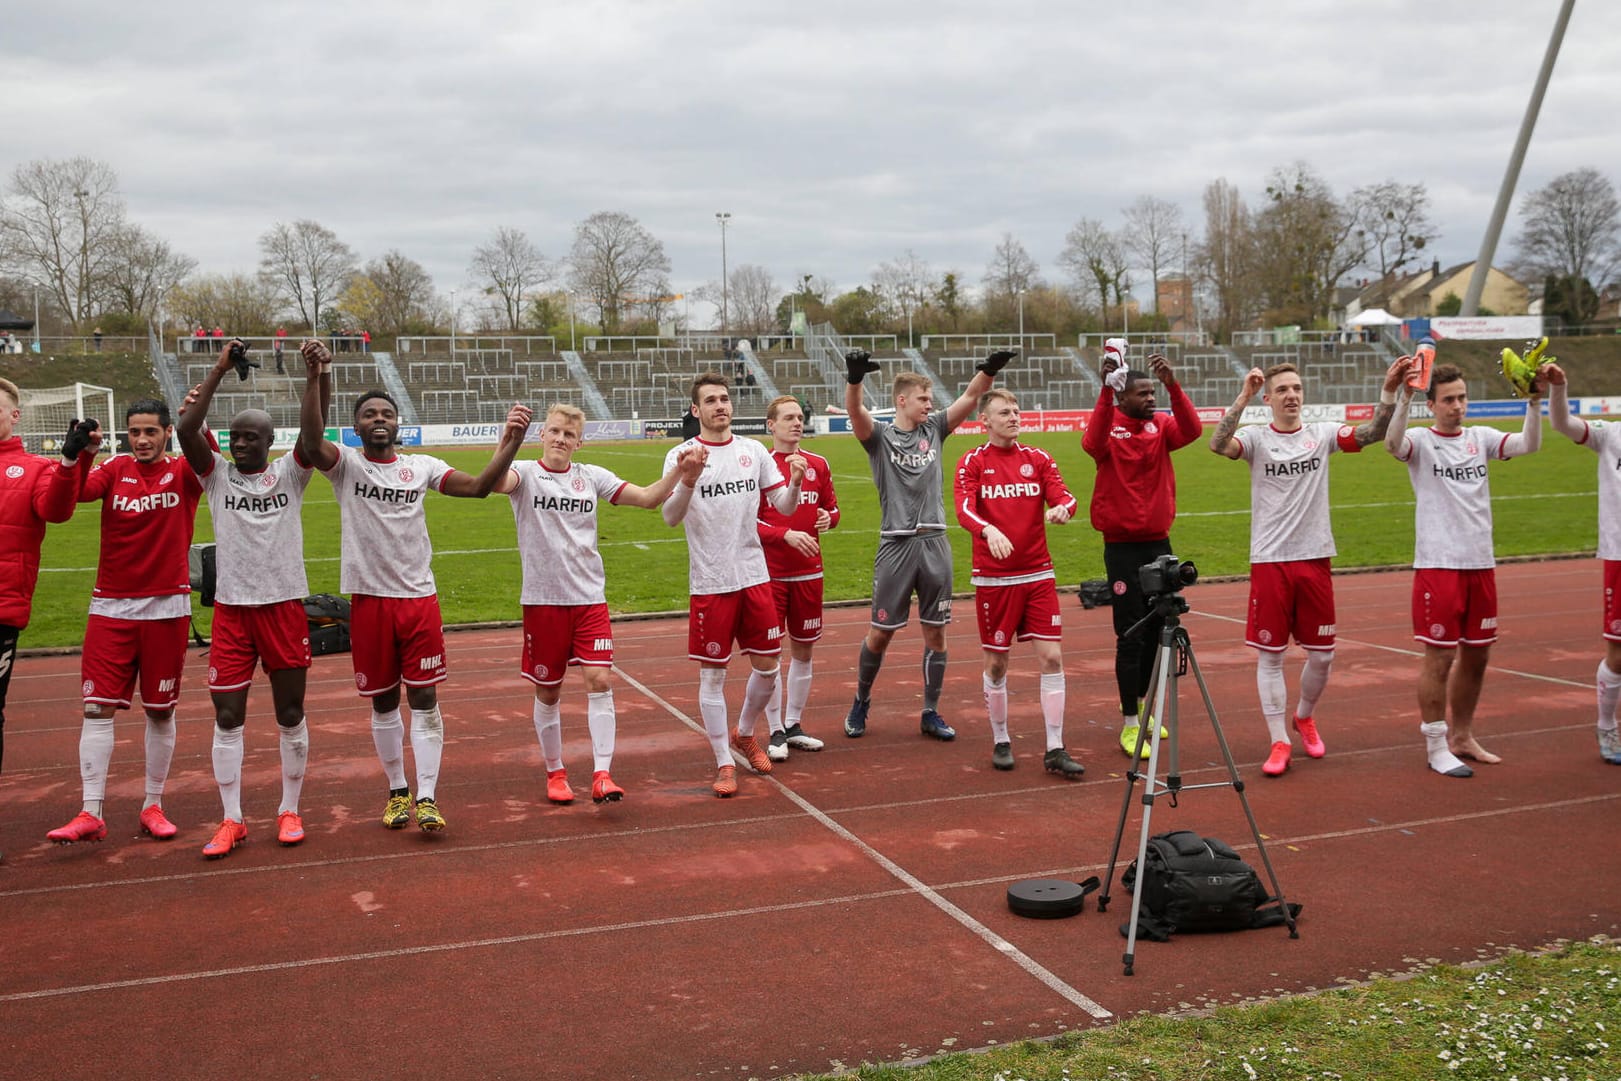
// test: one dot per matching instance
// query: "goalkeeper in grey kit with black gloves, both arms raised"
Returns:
(915, 555)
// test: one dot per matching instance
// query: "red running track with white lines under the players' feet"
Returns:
(849, 908)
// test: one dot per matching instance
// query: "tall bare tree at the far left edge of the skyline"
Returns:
(58, 224)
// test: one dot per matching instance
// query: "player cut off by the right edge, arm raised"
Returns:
(1604, 438)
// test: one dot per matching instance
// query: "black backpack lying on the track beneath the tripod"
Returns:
(1194, 884)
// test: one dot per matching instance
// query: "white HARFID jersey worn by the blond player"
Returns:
(557, 532)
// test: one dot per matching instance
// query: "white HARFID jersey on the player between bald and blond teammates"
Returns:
(387, 550)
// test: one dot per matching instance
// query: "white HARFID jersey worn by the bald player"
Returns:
(259, 531)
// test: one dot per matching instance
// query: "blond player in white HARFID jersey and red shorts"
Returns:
(555, 503)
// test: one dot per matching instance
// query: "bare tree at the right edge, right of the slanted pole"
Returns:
(1572, 229)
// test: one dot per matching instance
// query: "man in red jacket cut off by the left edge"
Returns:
(33, 492)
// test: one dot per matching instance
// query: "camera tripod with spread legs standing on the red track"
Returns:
(1174, 660)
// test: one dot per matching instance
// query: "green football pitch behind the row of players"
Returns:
(1542, 505)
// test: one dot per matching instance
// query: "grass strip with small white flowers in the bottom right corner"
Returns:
(1528, 1019)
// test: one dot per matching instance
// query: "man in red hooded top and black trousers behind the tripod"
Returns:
(1134, 503)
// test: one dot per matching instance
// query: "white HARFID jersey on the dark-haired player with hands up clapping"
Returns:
(724, 545)
